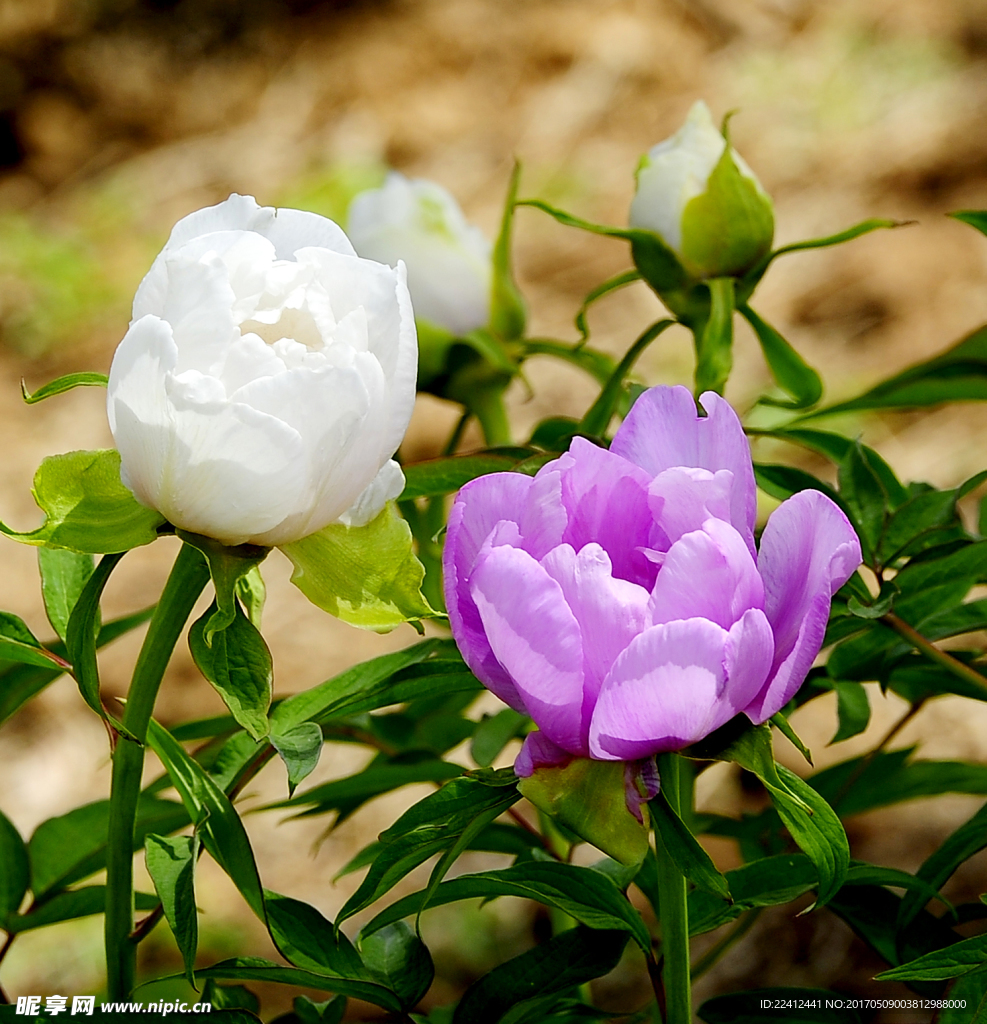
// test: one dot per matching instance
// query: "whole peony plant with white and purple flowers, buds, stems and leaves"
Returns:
(610, 579)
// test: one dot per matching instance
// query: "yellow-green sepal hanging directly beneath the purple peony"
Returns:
(588, 798)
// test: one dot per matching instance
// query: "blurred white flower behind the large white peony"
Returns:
(448, 260)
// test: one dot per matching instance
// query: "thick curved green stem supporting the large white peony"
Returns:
(189, 576)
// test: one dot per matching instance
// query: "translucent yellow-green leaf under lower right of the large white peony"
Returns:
(367, 576)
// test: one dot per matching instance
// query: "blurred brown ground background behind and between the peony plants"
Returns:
(117, 117)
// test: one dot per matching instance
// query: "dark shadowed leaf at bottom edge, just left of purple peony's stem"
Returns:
(566, 962)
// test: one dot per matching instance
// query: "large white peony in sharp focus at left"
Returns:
(267, 379)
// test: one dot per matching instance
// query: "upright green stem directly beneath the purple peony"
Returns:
(675, 918)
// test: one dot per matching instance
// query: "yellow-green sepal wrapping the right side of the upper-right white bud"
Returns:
(728, 229)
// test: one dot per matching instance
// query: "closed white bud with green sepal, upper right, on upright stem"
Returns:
(697, 193)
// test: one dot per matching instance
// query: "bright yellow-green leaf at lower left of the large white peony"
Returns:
(87, 506)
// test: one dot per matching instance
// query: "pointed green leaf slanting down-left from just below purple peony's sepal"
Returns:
(446, 821)
